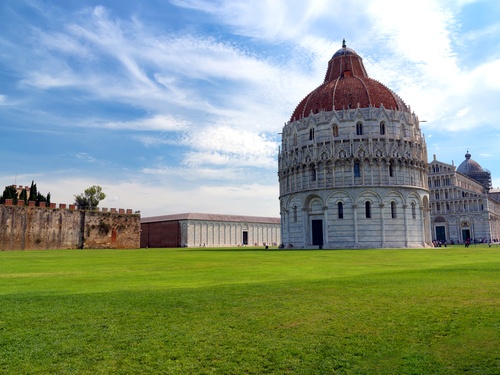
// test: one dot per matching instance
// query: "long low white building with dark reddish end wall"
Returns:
(210, 230)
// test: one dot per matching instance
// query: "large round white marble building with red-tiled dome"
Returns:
(353, 165)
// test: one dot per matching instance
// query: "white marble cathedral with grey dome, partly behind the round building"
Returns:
(463, 204)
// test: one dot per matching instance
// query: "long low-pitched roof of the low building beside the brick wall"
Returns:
(212, 217)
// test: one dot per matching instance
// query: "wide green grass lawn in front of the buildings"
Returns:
(236, 311)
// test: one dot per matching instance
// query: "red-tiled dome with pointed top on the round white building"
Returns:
(346, 86)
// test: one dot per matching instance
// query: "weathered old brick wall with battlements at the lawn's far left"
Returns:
(34, 228)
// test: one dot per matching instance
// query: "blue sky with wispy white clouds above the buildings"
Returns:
(175, 106)
